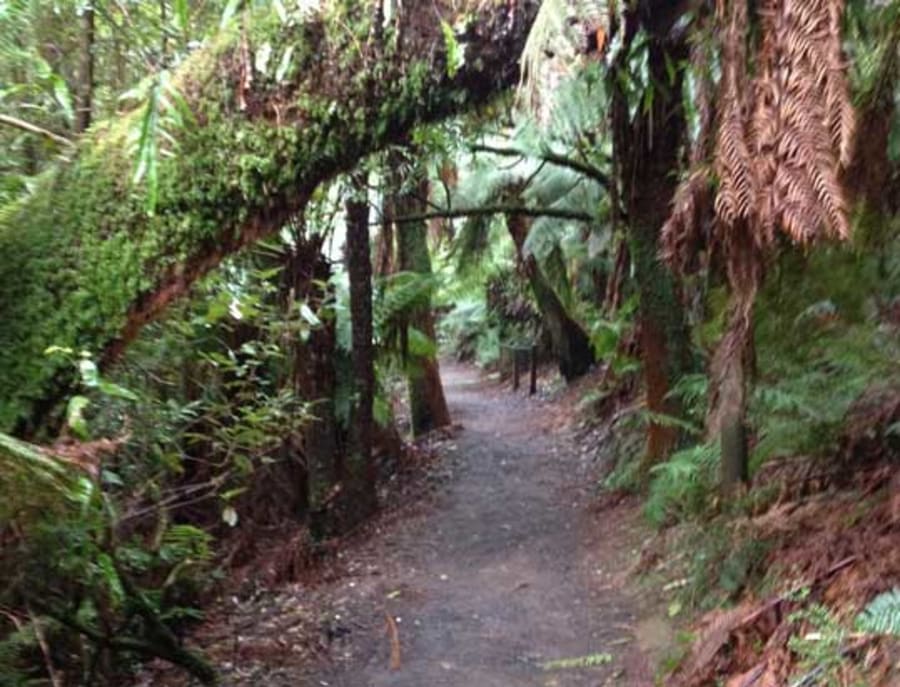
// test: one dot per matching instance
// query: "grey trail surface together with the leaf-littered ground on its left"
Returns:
(492, 566)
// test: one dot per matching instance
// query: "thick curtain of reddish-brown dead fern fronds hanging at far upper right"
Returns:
(802, 122)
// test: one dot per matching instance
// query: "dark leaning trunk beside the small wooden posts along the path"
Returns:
(571, 344)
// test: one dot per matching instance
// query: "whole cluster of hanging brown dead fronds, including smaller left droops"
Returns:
(780, 144)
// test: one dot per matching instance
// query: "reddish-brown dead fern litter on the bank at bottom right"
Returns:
(830, 539)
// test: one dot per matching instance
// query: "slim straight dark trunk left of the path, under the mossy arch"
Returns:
(359, 499)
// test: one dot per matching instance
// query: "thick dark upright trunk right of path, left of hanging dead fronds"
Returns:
(647, 152)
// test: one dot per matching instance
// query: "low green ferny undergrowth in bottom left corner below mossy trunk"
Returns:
(80, 583)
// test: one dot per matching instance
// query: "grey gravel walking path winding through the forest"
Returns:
(508, 579)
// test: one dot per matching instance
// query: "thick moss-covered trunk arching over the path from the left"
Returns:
(85, 265)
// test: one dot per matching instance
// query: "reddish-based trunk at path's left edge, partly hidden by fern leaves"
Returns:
(428, 407)
